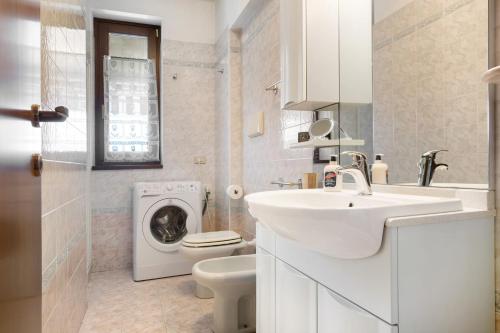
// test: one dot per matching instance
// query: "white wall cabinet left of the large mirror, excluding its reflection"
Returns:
(309, 54)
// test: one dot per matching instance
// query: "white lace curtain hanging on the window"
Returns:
(131, 112)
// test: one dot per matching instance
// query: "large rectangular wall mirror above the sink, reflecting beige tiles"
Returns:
(428, 57)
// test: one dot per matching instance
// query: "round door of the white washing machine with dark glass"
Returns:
(167, 222)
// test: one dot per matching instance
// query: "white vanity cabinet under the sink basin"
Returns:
(433, 274)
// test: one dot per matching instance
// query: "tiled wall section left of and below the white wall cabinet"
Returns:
(268, 157)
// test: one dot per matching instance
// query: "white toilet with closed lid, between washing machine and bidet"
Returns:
(208, 245)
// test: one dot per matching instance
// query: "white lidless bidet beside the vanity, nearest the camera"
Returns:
(232, 280)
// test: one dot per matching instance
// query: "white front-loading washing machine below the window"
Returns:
(164, 213)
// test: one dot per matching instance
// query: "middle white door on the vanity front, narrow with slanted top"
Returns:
(296, 301)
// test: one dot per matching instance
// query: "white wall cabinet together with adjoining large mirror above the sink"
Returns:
(399, 78)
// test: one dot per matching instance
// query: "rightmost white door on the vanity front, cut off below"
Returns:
(338, 315)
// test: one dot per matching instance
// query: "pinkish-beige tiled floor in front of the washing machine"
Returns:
(117, 304)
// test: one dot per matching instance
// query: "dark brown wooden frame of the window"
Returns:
(102, 29)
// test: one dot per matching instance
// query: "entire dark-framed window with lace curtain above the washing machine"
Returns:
(127, 95)
